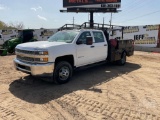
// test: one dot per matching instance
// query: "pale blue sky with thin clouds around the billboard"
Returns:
(37, 14)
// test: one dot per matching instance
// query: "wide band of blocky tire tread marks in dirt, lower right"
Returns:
(106, 110)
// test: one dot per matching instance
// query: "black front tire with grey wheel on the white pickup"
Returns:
(62, 72)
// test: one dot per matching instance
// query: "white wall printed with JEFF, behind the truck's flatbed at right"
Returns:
(145, 36)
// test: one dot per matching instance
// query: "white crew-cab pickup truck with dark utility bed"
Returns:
(69, 49)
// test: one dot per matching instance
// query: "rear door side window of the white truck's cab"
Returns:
(98, 36)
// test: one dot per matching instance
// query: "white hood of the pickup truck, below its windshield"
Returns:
(39, 45)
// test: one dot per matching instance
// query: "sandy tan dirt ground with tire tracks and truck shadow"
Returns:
(103, 92)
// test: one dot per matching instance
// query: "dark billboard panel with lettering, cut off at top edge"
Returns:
(91, 3)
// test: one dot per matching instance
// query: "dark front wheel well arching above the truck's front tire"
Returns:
(68, 58)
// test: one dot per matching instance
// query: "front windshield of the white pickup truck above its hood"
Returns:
(63, 36)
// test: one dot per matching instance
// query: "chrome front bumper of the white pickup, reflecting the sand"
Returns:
(35, 69)
